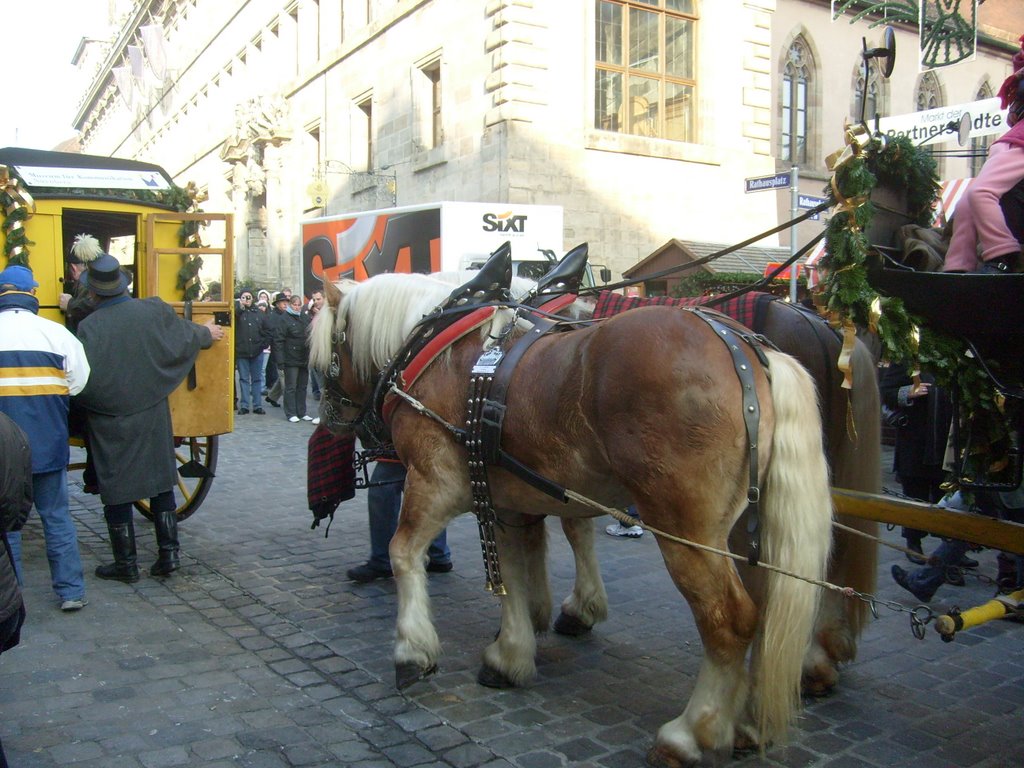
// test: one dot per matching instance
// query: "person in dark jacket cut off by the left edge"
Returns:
(16, 501)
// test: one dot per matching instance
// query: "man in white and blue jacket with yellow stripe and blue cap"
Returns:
(41, 365)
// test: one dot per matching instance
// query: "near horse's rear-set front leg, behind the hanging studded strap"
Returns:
(526, 607)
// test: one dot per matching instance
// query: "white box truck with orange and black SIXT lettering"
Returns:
(432, 238)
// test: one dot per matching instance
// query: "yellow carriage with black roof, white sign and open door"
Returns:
(172, 249)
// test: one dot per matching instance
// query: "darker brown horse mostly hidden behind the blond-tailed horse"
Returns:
(852, 426)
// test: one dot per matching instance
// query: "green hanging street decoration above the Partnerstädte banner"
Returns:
(948, 29)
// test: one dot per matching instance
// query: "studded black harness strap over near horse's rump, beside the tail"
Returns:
(752, 417)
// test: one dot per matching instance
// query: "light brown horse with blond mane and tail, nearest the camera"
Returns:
(647, 407)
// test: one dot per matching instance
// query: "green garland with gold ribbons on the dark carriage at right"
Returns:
(846, 295)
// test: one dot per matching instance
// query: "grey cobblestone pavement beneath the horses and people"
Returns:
(260, 653)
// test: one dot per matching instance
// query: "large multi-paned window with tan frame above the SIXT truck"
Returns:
(646, 81)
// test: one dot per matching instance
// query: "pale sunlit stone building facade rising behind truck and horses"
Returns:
(642, 118)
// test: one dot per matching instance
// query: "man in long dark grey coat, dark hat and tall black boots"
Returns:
(142, 351)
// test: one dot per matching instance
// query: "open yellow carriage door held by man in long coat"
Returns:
(198, 280)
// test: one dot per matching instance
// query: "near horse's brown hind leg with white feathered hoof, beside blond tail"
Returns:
(728, 621)
